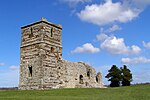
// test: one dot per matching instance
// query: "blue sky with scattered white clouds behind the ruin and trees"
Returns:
(98, 32)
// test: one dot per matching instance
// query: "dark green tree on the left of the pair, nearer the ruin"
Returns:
(114, 76)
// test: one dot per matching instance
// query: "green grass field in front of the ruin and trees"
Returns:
(138, 92)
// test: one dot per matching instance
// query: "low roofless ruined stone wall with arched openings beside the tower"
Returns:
(78, 75)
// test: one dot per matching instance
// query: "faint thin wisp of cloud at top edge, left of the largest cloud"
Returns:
(72, 3)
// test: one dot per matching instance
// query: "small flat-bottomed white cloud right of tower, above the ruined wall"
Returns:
(86, 48)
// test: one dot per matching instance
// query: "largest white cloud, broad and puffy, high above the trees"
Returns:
(108, 12)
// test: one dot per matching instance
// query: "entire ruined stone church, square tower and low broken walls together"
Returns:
(41, 63)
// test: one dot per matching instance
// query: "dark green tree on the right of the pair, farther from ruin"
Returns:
(126, 76)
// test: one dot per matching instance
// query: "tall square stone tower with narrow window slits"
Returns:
(41, 49)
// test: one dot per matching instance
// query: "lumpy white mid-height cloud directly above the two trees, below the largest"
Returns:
(116, 45)
